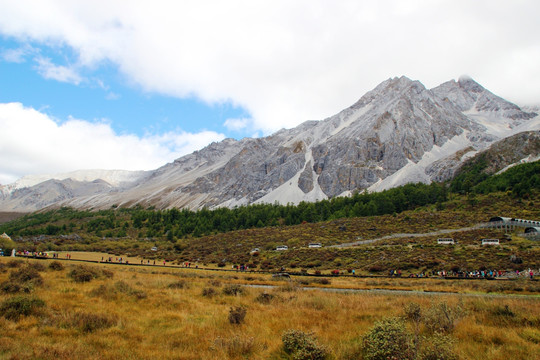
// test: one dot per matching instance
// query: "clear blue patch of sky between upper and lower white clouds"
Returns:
(105, 95)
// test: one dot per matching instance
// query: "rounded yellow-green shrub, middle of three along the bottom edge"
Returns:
(387, 339)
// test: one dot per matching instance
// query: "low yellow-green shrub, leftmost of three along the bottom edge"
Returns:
(302, 345)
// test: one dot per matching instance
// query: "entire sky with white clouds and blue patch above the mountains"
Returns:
(136, 84)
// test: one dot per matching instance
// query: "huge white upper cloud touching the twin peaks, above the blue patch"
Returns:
(287, 62)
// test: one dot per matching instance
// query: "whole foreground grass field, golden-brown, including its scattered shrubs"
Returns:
(67, 310)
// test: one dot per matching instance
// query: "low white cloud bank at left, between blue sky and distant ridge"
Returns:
(33, 143)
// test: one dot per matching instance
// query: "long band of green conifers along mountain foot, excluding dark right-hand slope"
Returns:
(175, 223)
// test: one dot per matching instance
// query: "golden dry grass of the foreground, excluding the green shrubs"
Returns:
(150, 320)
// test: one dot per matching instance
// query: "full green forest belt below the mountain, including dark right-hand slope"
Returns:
(172, 224)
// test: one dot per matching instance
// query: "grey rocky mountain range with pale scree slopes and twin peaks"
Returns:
(399, 132)
